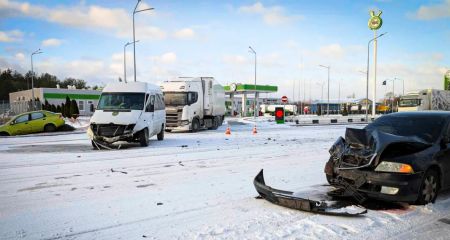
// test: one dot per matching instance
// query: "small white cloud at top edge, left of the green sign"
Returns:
(271, 15)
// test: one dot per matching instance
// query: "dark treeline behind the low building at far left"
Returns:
(13, 81)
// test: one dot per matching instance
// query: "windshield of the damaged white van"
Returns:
(121, 101)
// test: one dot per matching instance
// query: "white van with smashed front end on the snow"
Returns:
(132, 112)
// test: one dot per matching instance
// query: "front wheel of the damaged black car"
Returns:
(429, 188)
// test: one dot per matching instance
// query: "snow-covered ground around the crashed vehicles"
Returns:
(189, 186)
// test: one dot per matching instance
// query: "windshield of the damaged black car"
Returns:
(426, 127)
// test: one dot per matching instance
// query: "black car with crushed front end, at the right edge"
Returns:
(401, 157)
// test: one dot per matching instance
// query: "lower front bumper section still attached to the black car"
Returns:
(373, 184)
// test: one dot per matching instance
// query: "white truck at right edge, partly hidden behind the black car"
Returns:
(428, 99)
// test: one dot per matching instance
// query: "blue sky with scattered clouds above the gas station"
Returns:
(85, 39)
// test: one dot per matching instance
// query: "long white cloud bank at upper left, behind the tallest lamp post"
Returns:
(91, 17)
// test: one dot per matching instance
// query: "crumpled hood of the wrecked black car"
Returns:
(361, 146)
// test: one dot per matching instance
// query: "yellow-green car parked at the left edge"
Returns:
(32, 122)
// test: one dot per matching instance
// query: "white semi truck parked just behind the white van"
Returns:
(193, 103)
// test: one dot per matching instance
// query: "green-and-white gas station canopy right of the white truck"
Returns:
(246, 105)
